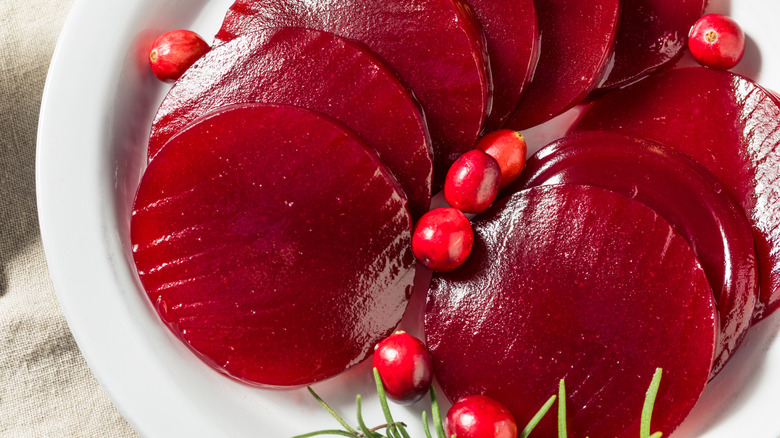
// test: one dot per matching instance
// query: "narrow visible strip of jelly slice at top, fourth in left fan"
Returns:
(512, 35)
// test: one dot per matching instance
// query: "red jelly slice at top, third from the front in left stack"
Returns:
(435, 46)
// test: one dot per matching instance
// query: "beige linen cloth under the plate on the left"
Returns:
(46, 388)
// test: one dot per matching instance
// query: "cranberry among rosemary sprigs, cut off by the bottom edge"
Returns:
(478, 416)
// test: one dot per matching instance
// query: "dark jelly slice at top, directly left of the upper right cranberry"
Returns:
(652, 34)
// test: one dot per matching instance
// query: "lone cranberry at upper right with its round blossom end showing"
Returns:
(717, 41)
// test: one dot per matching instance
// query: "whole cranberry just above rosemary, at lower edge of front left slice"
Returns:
(404, 364)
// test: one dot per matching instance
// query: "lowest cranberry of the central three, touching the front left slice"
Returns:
(443, 239)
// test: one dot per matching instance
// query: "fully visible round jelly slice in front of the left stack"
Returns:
(273, 243)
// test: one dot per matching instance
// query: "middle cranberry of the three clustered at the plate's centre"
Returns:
(472, 182)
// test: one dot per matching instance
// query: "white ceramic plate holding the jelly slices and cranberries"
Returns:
(96, 111)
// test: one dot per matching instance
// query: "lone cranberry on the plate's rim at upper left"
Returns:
(174, 52)
